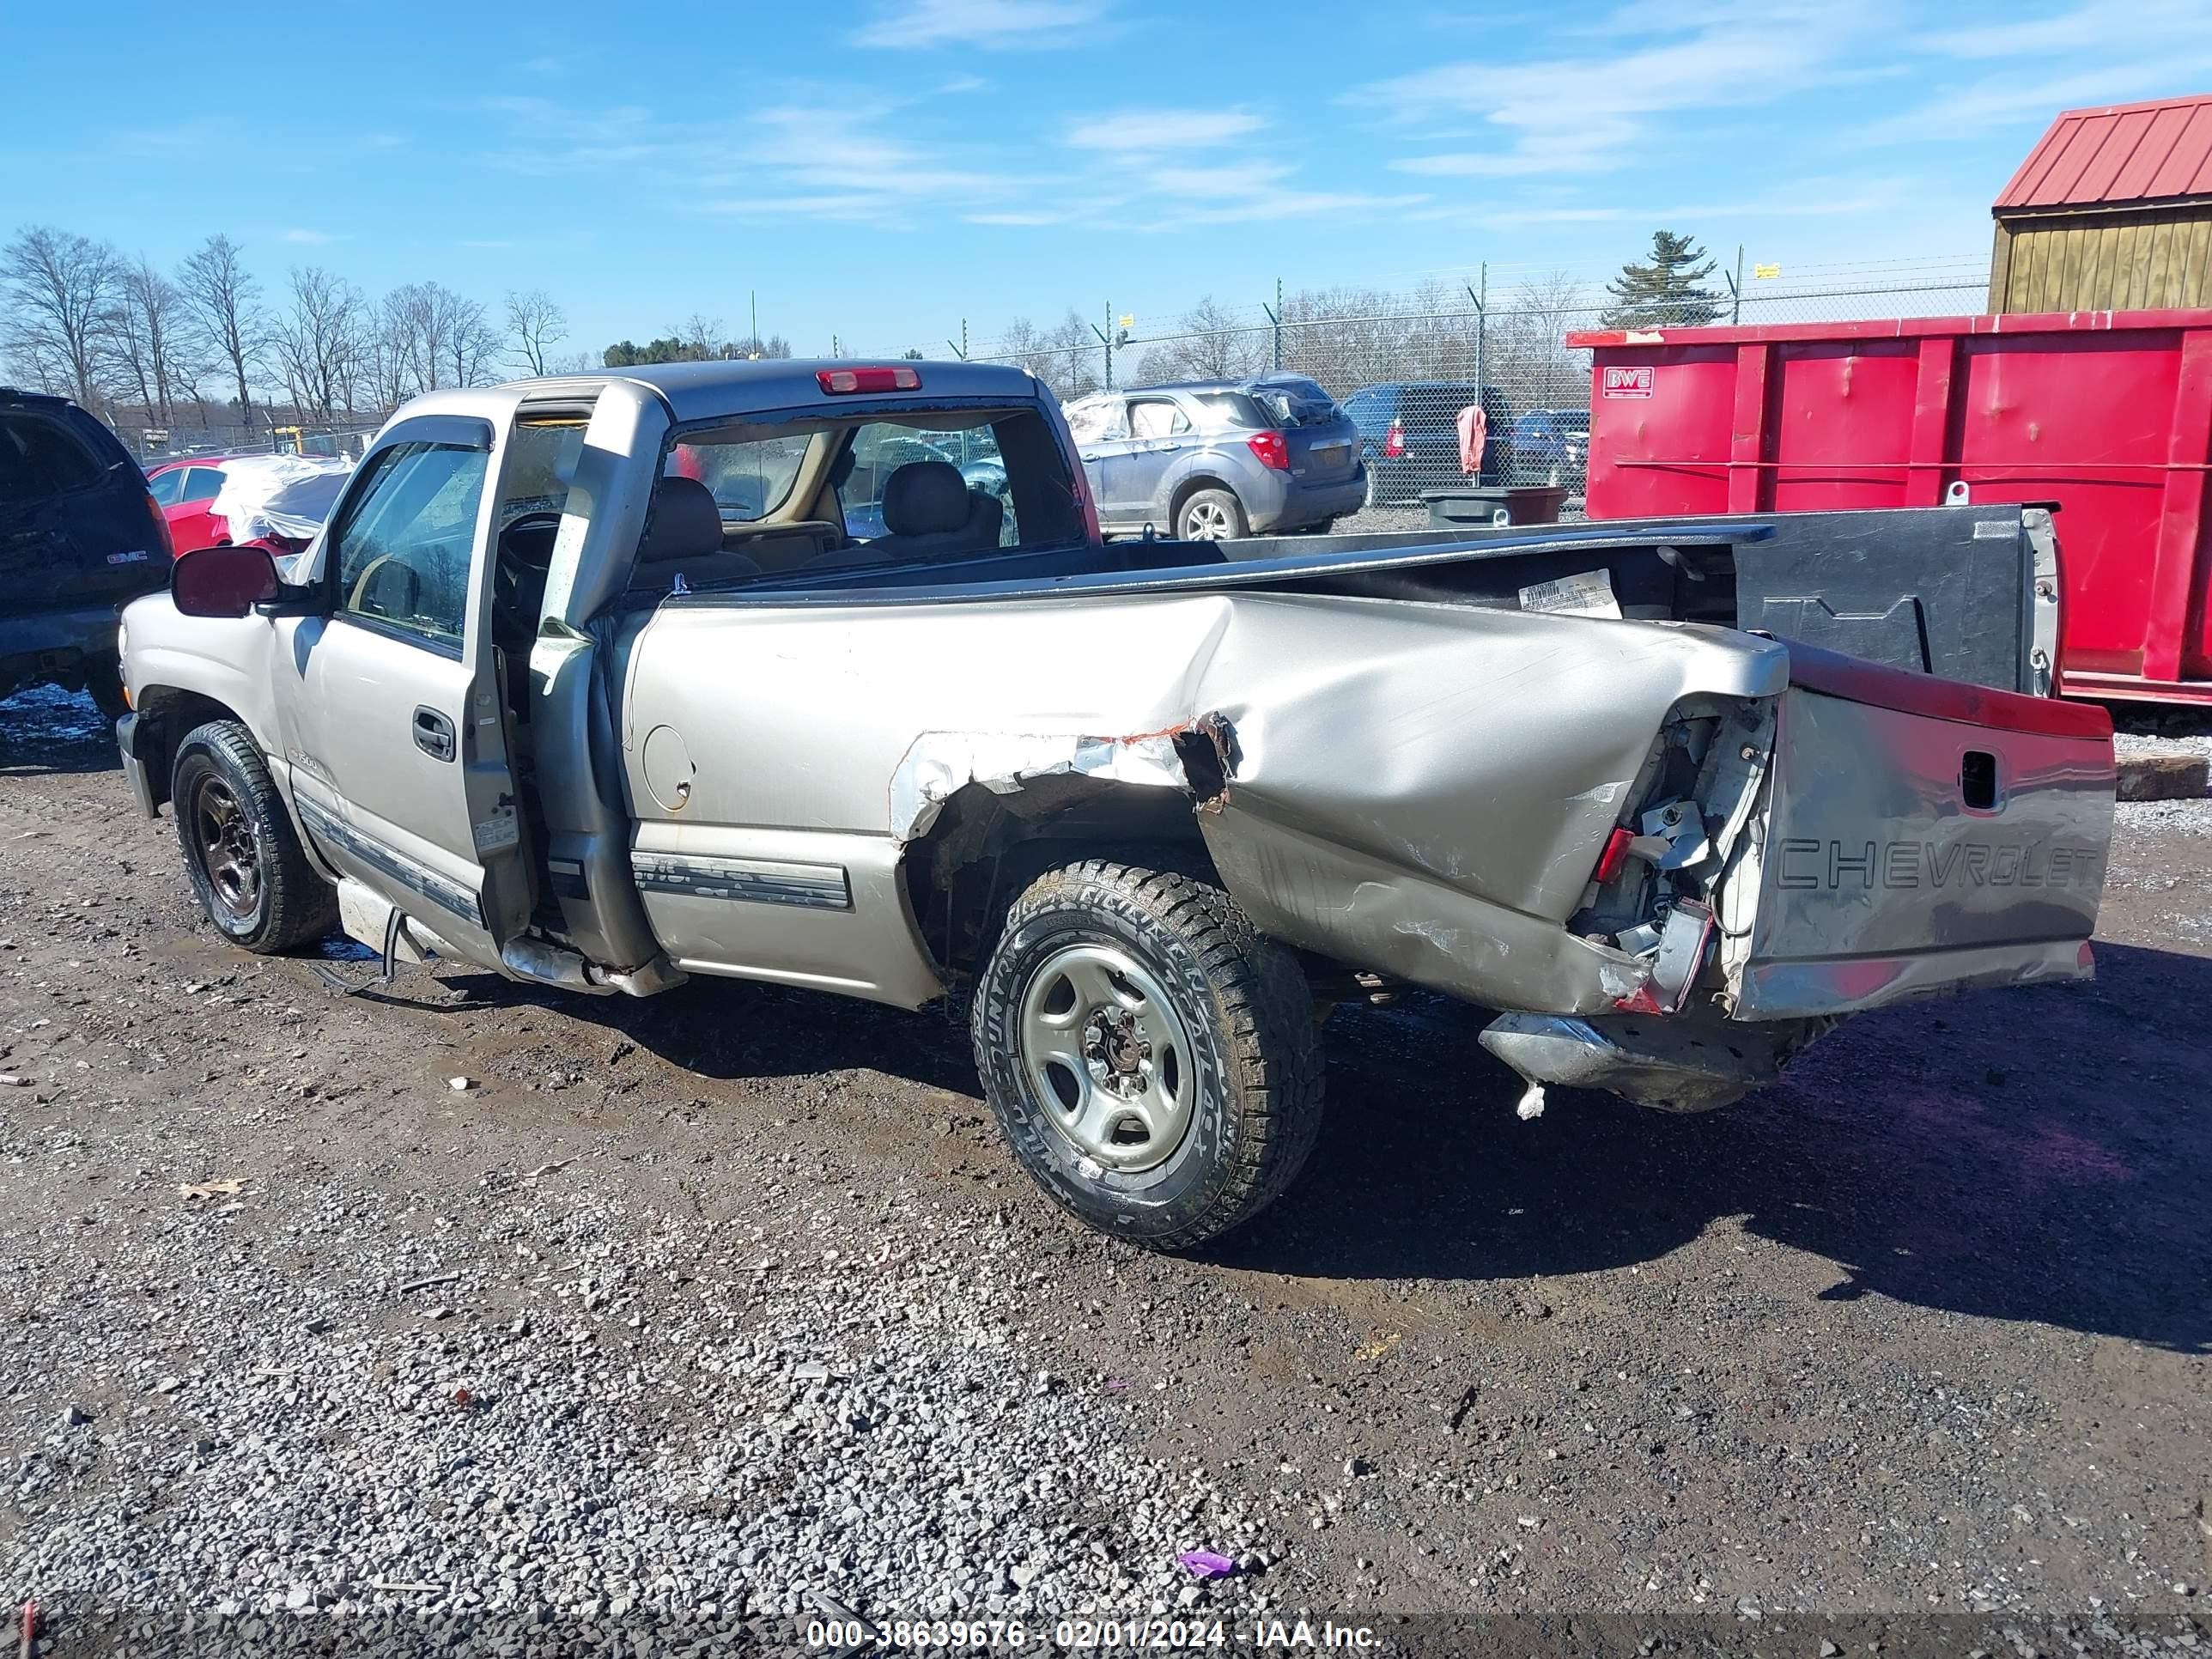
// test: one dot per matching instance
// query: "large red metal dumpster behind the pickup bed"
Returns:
(2107, 415)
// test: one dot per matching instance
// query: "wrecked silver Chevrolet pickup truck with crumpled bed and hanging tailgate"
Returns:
(824, 676)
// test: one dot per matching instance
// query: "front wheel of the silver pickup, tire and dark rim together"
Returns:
(240, 851)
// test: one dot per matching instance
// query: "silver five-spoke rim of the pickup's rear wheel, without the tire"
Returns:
(1107, 1056)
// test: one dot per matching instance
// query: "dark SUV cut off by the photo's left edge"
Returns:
(79, 541)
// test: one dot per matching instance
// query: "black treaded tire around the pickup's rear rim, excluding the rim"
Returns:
(1249, 1016)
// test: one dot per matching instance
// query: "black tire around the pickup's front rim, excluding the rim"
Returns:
(293, 906)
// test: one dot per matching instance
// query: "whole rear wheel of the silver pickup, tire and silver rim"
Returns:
(1149, 1054)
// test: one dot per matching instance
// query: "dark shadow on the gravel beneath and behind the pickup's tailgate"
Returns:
(2025, 1156)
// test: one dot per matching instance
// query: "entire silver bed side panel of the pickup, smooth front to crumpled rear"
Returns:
(1417, 789)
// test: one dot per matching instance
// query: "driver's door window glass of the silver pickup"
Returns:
(401, 554)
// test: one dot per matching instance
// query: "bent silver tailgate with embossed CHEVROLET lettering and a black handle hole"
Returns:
(1923, 835)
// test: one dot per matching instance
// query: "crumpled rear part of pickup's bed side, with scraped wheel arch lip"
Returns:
(1410, 789)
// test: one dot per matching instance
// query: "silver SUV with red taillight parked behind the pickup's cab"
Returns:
(1215, 459)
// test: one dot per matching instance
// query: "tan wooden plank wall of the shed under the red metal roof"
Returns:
(2096, 262)
